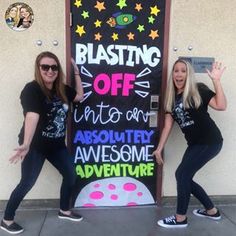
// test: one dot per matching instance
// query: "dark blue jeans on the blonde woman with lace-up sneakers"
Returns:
(195, 157)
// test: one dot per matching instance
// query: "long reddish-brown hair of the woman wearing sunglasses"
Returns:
(58, 85)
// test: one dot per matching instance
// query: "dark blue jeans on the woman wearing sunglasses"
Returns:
(30, 170)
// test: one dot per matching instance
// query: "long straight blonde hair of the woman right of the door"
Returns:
(191, 96)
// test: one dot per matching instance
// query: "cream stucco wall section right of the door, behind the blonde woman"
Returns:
(209, 27)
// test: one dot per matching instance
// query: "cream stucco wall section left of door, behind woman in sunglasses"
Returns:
(18, 51)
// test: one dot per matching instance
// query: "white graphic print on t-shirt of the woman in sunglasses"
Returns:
(56, 120)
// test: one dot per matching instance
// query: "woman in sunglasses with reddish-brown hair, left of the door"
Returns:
(45, 102)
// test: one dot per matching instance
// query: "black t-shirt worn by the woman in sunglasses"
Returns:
(51, 128)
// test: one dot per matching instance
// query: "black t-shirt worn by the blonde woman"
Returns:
(196, 124)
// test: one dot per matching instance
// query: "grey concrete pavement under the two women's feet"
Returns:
(121, 221)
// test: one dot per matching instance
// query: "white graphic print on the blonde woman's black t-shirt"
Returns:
(181, 116)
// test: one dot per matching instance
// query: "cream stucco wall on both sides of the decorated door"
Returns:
(207, 26)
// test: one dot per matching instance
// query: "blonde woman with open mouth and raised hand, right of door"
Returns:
(186, 102)
